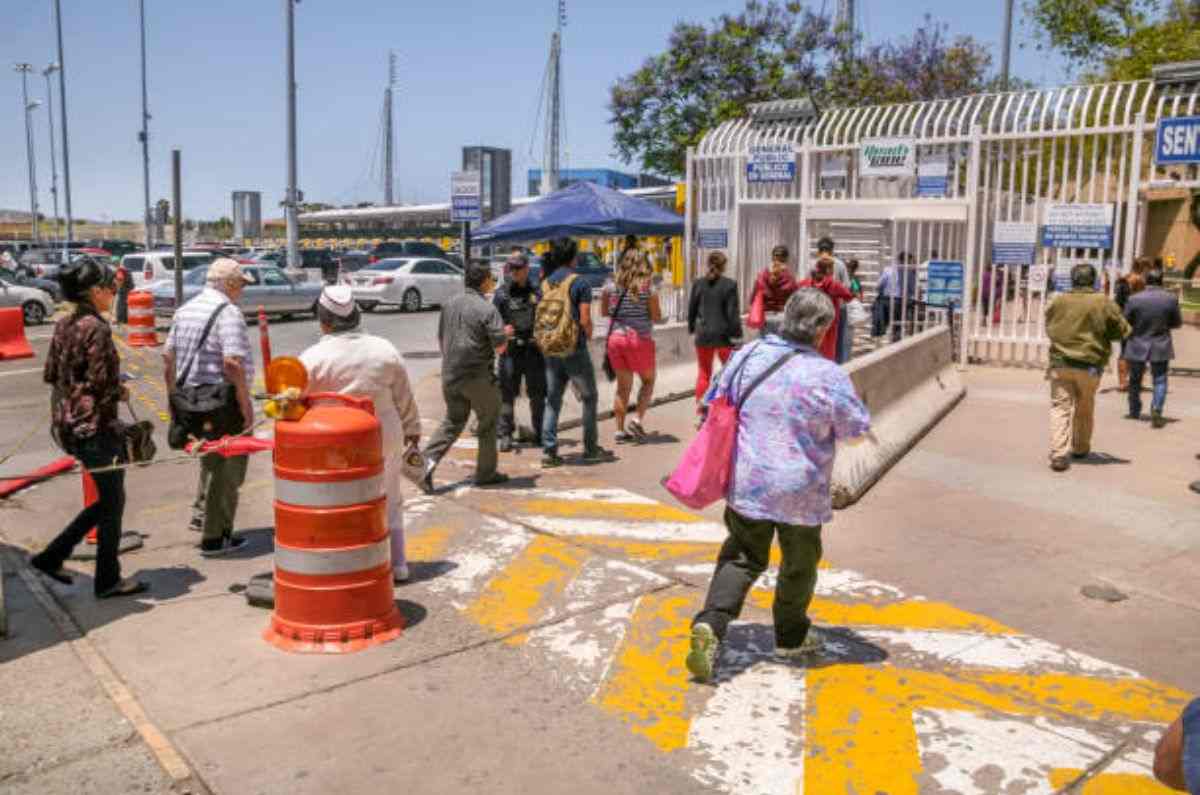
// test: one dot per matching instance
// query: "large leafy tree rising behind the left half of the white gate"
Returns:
(773, 51)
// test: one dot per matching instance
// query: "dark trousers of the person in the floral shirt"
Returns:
(745, 557)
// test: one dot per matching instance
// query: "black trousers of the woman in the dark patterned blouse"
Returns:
(105, 515)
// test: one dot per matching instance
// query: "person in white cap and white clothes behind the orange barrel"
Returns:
(350, 362)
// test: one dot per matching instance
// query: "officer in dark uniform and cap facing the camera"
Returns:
(518, 303)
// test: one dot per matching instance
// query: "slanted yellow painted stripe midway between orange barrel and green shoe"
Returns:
(521, 594)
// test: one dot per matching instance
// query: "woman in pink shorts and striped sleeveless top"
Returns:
(634, 309)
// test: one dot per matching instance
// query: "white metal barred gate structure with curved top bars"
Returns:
(1007, 158)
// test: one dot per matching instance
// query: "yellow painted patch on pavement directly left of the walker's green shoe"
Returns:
(649, 684)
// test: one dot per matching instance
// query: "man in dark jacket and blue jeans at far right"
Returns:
(1153, 314)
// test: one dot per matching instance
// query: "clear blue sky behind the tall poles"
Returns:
(471, 71)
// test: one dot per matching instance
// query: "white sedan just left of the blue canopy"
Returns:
(411, 284)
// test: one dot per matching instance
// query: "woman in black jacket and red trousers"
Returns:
(715, 319)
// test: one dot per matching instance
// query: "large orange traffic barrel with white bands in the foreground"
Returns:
(333, 558)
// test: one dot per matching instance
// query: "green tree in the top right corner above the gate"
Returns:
(1118, 40)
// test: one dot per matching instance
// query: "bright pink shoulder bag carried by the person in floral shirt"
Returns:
(704, 475)
